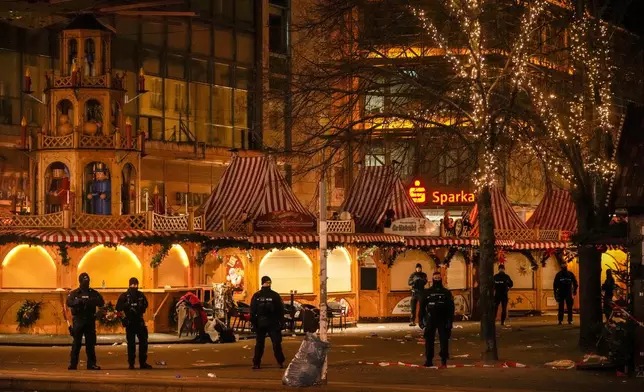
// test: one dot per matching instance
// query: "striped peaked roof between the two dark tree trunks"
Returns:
(555, 212)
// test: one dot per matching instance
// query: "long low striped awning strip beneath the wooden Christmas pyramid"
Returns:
(82, 236)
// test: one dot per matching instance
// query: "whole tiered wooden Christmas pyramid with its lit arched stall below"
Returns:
(81, 197)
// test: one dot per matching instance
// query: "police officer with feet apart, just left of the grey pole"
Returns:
(266, 317)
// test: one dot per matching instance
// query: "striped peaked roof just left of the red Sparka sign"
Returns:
(376, 190)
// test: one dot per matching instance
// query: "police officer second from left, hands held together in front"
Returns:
(134, 304)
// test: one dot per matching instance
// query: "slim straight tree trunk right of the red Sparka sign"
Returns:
(486, 276)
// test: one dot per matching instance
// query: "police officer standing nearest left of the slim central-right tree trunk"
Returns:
(437, 313)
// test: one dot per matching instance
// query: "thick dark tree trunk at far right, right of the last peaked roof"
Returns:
(590, 305)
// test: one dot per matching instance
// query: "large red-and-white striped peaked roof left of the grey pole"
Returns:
(252, 186)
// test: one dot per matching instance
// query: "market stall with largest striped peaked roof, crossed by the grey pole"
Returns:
(254, 199)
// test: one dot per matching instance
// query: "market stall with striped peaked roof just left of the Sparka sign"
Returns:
(379, 203)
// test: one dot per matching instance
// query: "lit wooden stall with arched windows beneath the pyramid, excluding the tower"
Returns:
(43, 264)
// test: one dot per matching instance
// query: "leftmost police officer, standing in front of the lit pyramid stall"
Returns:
(83, 302)
